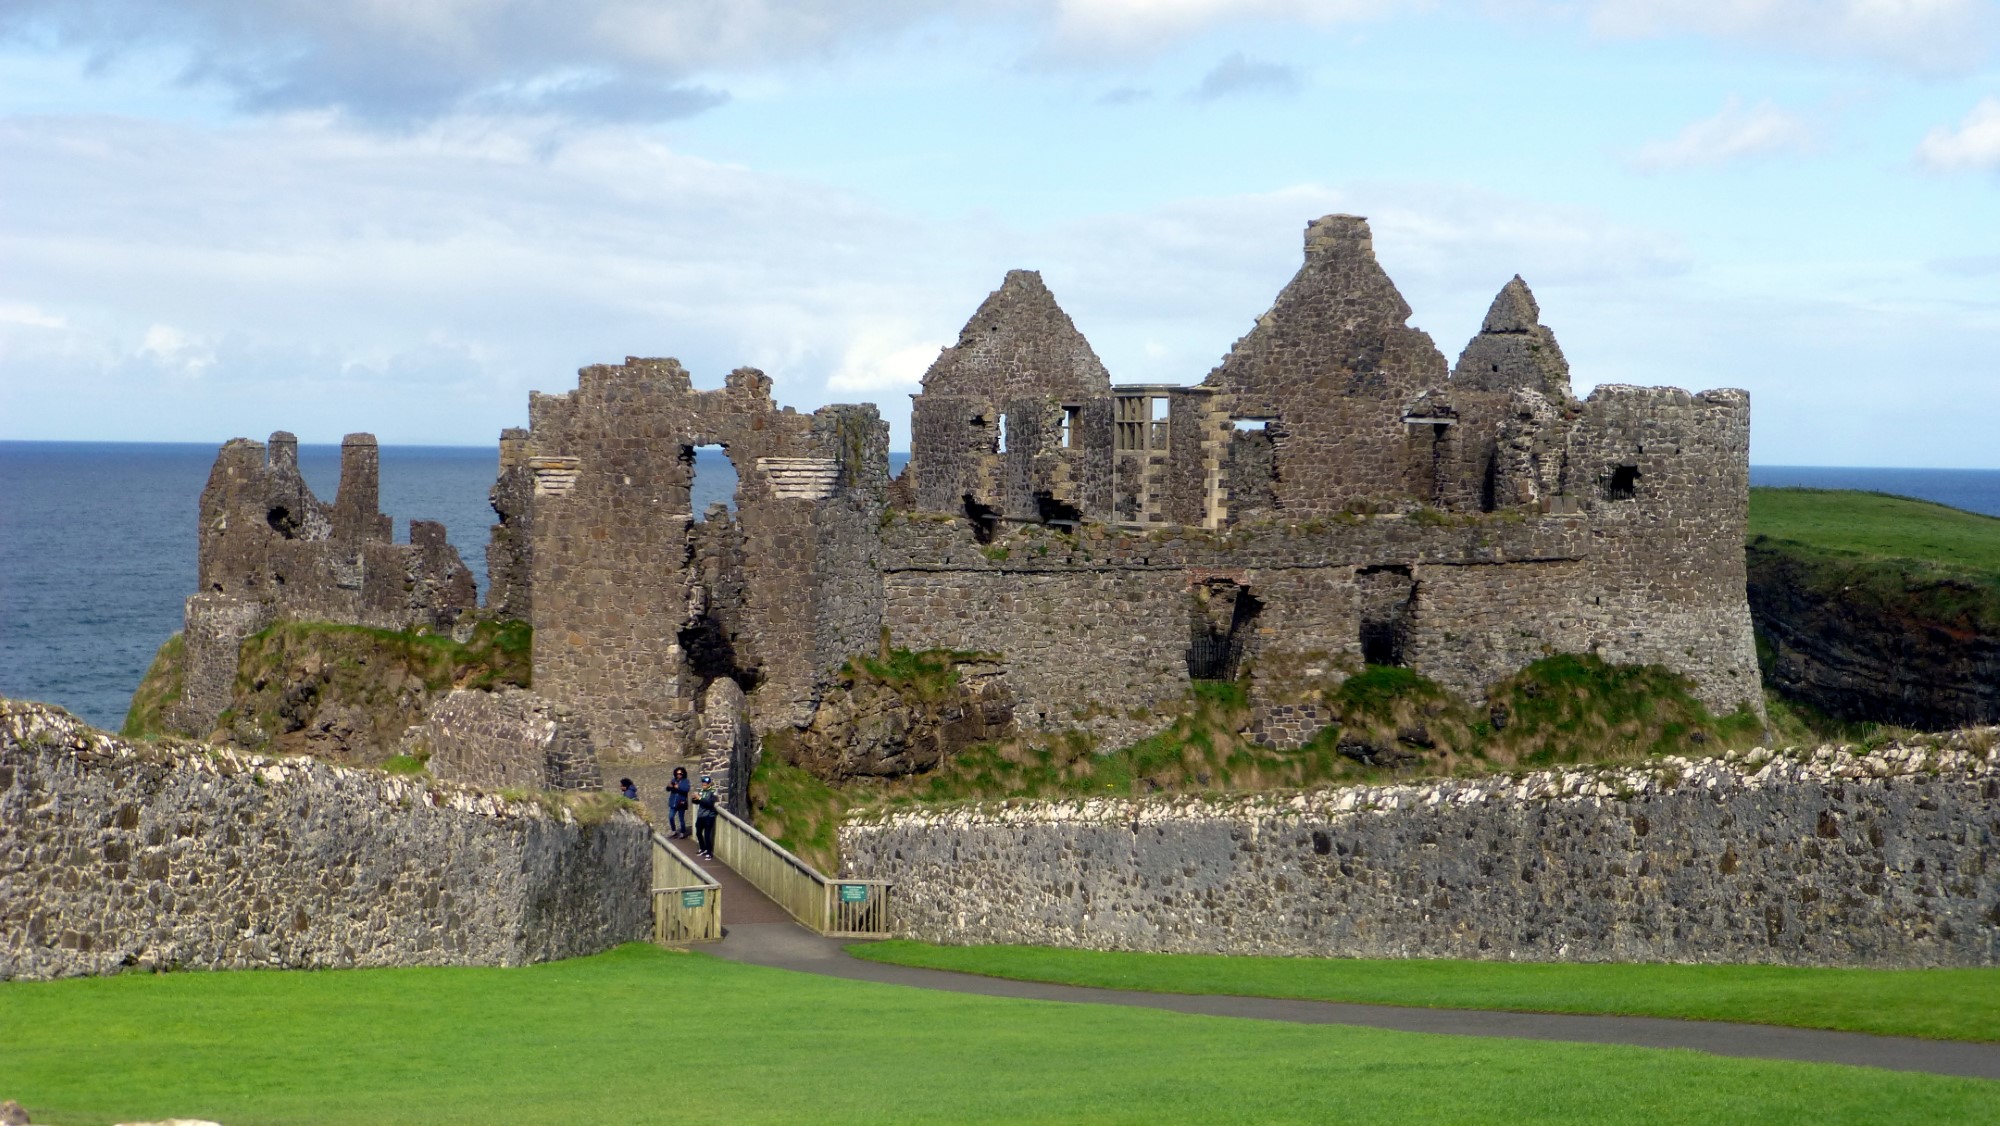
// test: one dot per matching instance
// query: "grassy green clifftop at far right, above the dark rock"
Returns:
(1877, 527)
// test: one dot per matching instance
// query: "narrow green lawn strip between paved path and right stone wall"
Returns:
(1943, 1005)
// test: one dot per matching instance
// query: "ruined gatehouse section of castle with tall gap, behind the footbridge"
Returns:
(629, 603)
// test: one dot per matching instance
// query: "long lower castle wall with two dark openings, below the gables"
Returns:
(1487, 595)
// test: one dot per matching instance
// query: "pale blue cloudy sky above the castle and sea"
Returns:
(401, 217)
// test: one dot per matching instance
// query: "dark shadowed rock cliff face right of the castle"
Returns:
(1883, 641)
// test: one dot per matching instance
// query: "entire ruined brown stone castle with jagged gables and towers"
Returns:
(1331, 495)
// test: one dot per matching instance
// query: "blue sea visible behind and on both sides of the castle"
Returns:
(97, 543)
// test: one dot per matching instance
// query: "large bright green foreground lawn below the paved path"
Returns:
(645, 1035)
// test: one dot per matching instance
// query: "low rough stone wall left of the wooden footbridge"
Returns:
(123, 855)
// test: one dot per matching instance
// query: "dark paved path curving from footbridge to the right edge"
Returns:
(789, 947)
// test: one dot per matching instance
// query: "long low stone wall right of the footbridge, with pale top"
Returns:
(1831, 859)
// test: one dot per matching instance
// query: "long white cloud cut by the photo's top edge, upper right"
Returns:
(1921, 35)
